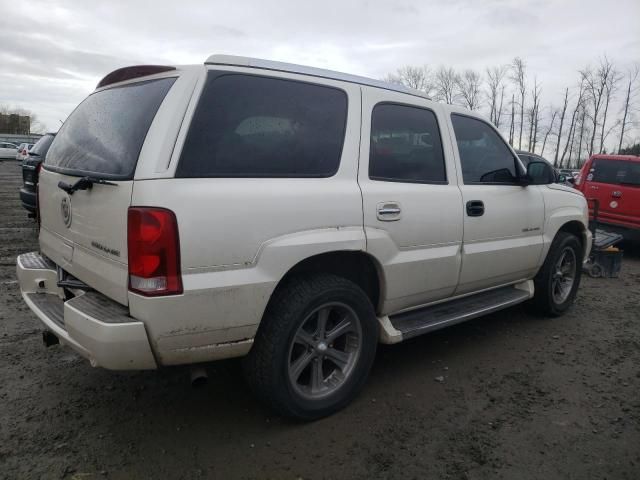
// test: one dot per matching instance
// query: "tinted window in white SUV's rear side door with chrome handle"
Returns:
(405, 145)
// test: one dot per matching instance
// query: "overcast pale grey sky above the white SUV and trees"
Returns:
(52, 53)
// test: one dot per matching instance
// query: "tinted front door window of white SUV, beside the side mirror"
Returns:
(484, 156)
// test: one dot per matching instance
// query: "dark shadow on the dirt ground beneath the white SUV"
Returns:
(167, 397)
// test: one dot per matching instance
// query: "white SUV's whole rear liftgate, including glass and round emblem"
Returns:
(85, 231)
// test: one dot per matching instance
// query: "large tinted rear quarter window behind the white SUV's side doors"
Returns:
(252, 126)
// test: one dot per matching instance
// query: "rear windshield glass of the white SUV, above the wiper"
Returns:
(104, 135)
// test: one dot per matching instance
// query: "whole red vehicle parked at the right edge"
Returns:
(614, 180)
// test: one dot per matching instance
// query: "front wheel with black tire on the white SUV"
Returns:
(557, 282)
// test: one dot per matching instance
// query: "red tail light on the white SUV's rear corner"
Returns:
(154, 251)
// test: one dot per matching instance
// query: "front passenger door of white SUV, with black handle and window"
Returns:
(503, 220)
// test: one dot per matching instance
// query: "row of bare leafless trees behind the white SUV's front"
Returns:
(600, 108)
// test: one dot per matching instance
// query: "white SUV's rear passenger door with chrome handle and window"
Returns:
(412, 204)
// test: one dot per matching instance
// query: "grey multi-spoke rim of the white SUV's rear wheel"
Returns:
(324, 350)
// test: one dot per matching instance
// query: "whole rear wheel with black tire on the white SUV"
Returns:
(314, 348)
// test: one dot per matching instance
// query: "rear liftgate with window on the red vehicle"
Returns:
(616, 184)
